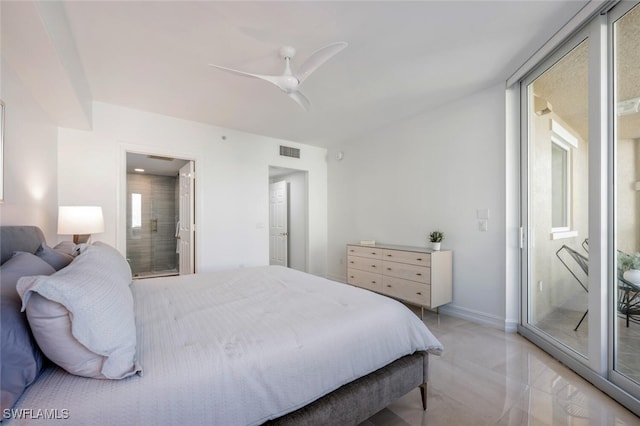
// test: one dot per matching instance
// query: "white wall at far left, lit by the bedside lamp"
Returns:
(30, 159)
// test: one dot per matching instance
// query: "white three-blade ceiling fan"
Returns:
(289, 82)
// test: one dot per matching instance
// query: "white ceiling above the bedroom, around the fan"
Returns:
(403, 57)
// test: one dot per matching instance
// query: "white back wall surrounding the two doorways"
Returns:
(232, 181)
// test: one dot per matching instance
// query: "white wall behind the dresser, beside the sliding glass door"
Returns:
(433, 171)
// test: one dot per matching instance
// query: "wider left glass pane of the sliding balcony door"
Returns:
(557, 105)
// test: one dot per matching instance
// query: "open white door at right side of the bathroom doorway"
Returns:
(186, 225)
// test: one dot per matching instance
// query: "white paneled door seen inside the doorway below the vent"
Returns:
(278, 223)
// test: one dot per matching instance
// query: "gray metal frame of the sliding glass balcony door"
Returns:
(598, 369)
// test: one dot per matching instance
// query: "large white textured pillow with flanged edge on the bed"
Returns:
(84, 320)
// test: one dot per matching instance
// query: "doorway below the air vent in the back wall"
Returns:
(288, 215)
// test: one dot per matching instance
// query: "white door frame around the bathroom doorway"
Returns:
(121, 201)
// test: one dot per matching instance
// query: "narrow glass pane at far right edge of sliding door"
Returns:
(626, 32)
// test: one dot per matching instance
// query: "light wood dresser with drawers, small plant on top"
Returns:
(416, 275)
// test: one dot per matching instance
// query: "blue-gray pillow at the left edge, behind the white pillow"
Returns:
(22, 360)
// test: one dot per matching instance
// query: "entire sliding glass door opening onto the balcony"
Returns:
(580, 202)
